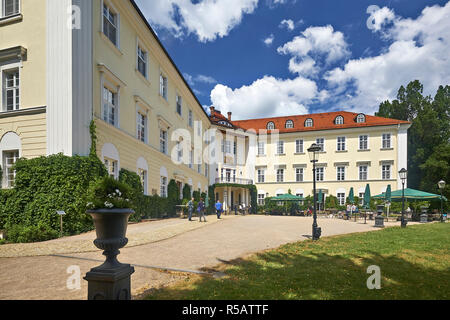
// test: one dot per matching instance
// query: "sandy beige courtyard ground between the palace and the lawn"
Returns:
(167, 251)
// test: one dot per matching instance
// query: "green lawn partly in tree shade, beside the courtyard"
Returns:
(414, 263)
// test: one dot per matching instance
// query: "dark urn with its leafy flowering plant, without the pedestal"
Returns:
(109, 204)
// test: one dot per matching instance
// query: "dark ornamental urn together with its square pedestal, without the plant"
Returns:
(111, 280)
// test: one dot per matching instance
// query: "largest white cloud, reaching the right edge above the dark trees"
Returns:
(419, 50)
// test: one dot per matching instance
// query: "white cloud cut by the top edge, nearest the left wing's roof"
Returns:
(207, 19)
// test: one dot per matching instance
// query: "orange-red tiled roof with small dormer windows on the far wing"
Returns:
(322, 121)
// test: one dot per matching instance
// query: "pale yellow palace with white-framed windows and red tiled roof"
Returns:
(64, 63)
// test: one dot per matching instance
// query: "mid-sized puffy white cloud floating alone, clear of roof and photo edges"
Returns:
(312, 44)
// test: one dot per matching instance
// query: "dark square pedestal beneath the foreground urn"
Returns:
(113, 284)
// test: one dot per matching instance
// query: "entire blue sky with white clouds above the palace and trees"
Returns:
(240, 56)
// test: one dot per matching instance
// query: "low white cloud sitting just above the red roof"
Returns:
(266, 97)
